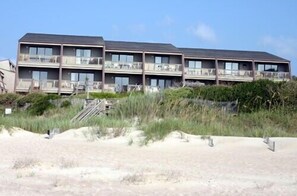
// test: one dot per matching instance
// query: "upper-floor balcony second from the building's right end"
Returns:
(236, 75)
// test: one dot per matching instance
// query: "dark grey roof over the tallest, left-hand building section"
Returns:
(62, 39)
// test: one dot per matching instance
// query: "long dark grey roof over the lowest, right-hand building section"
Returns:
(230, 54)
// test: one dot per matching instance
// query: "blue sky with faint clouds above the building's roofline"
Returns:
(260, 25)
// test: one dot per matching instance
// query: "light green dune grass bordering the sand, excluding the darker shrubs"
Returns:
(158, 115)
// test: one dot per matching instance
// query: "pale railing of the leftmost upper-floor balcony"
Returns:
(39, 58)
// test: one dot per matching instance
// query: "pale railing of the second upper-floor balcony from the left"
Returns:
(72, 60)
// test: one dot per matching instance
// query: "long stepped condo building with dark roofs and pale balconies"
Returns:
(65, 64)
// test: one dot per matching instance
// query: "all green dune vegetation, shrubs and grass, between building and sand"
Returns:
(264, 108)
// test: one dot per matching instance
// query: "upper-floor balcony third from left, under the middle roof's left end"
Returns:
(123, 67)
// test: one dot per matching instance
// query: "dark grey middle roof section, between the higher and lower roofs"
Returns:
(141, 46)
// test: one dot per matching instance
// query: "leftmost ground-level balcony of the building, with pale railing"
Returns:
(47, 86)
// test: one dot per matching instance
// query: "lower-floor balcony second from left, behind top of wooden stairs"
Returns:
(68, 86)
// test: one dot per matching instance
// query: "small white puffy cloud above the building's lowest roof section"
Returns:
(204, 32)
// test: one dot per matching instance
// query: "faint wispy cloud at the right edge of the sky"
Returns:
(286, 46)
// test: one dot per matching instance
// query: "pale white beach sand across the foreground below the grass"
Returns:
(76, 163)
